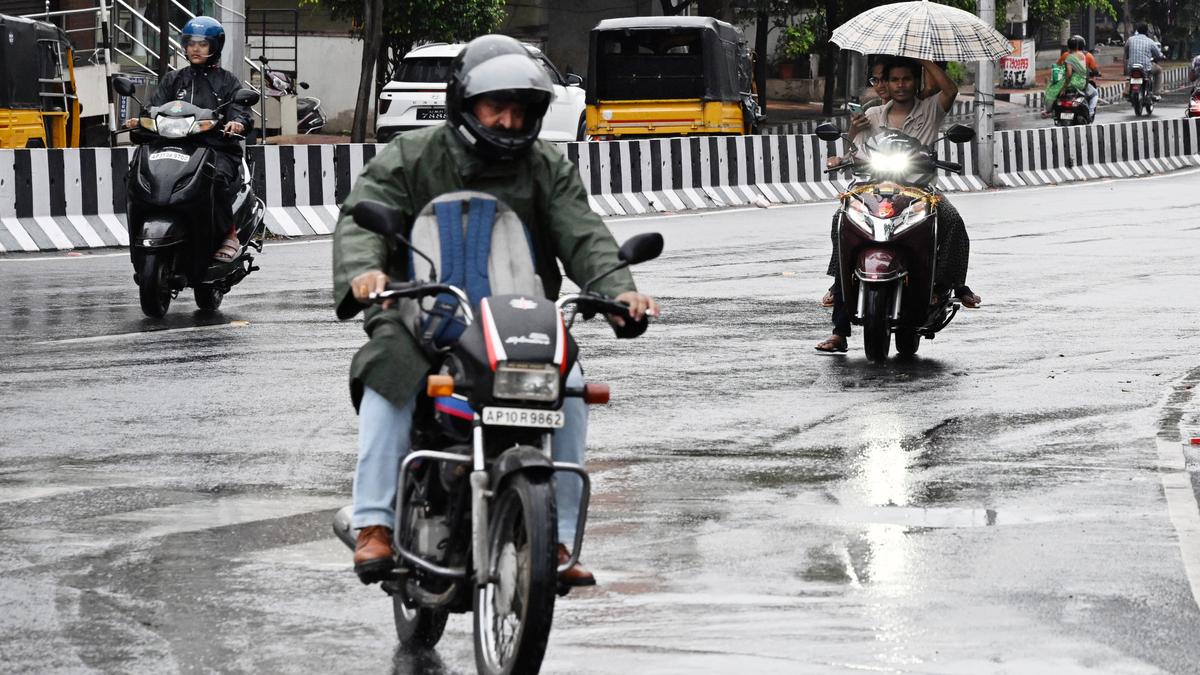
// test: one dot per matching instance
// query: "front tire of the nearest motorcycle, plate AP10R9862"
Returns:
(514, 611)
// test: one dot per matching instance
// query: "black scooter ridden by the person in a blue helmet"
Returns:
(172, 230)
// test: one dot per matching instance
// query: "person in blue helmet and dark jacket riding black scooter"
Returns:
(205, 83)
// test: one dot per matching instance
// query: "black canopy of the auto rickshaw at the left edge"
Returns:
(31, 52)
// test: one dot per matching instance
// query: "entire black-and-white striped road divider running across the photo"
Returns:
(75, 199)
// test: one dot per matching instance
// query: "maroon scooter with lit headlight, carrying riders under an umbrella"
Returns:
(887, 236)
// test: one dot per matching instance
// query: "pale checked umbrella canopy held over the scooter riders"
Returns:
(922, 31)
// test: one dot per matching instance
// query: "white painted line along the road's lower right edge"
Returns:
(1181, 500)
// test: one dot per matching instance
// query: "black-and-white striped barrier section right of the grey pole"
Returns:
(1045, 157)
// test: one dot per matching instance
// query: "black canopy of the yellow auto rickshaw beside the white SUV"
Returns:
(668, 58)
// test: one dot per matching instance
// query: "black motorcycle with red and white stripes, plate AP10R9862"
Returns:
(476, 522)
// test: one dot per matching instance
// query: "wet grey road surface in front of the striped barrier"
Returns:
(1015, 500)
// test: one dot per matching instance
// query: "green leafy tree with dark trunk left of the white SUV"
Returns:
(406, 25)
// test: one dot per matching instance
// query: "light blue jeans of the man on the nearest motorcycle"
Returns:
(385, 440)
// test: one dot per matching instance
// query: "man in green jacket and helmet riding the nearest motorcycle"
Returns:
(496, 99)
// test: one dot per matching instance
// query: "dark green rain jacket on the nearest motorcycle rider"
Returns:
(543, 188)
